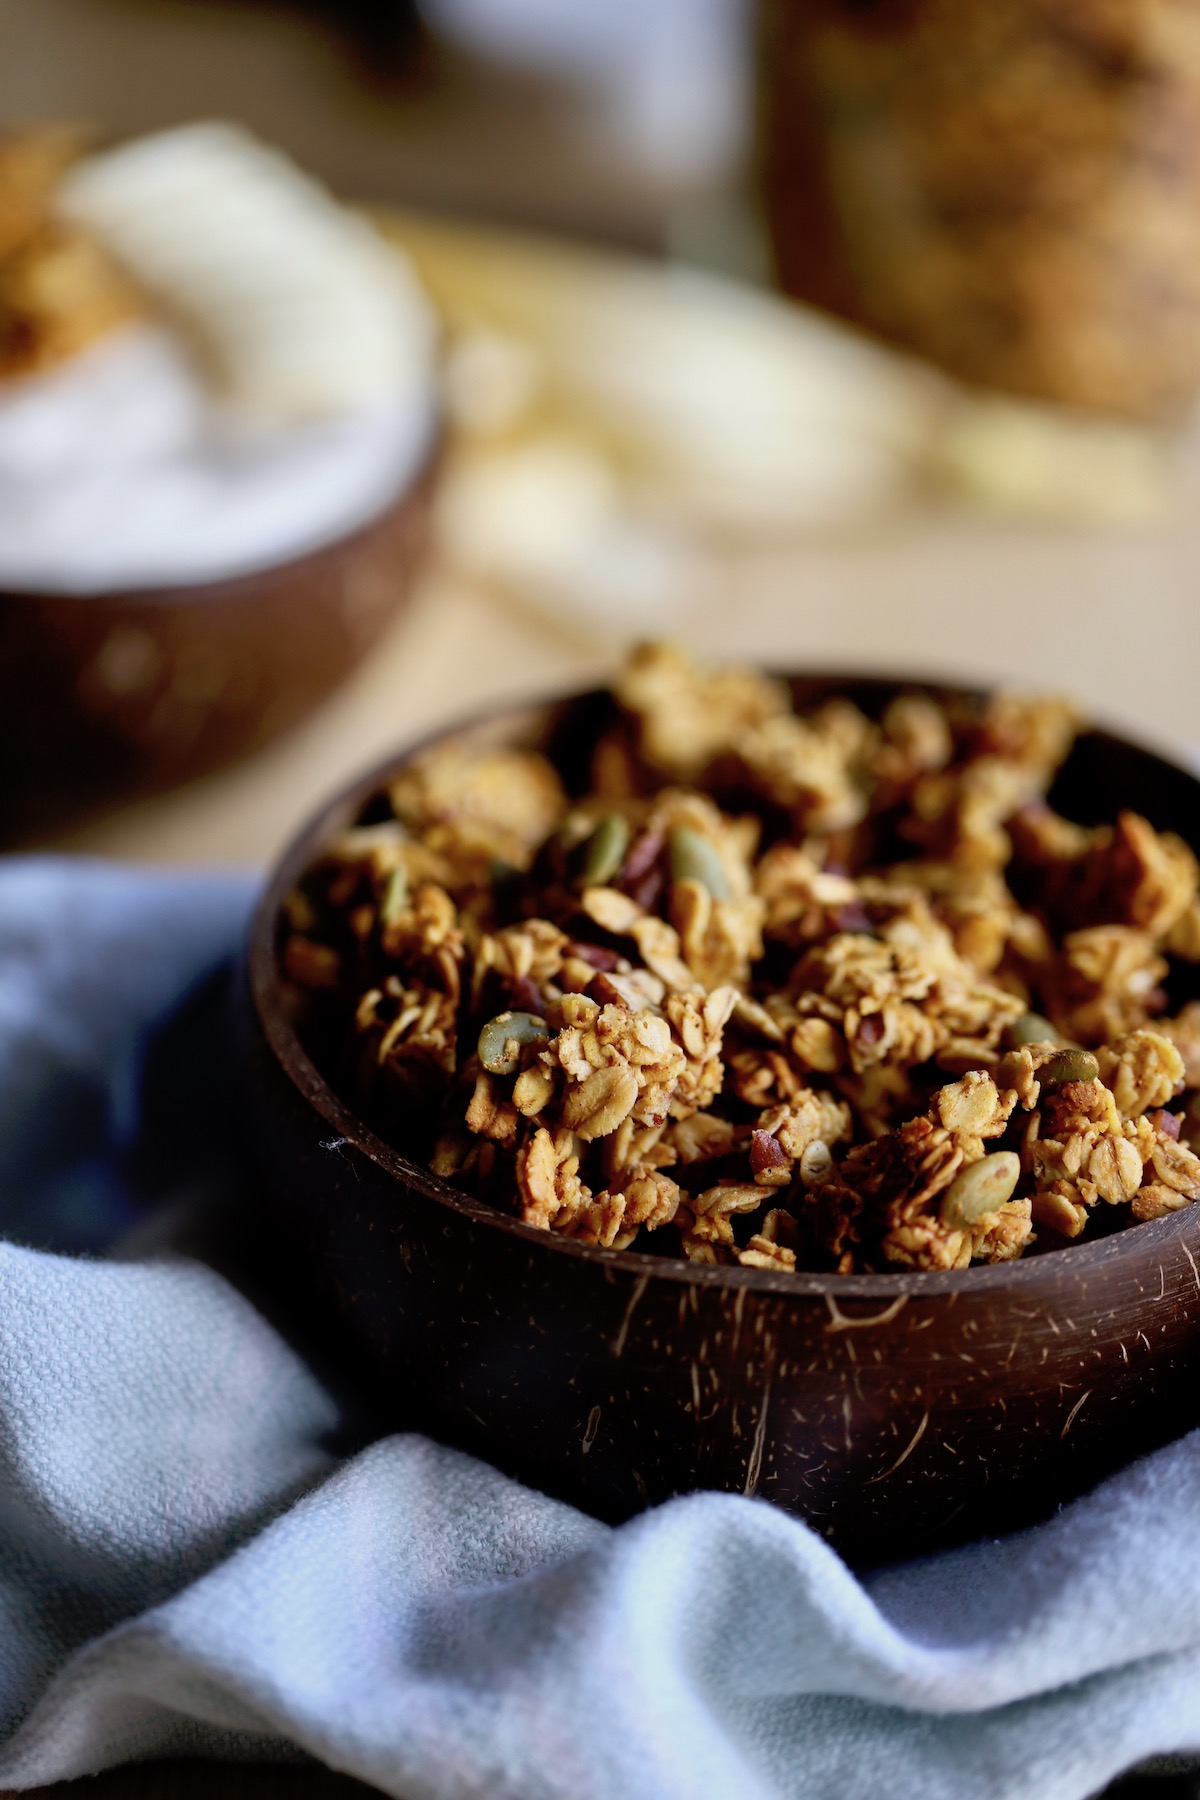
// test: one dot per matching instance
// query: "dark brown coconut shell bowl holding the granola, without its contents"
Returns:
(893, 1412)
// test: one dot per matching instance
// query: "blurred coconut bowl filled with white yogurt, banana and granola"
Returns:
(219, 435)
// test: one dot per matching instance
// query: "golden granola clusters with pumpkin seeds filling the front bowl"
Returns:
(793, 991)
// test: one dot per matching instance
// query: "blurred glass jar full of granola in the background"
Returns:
(1010, 188)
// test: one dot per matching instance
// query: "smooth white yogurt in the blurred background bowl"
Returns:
(116, 471)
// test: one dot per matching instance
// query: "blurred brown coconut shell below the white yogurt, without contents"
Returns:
(109, 697)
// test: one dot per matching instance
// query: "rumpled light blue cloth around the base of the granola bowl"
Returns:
(186, 1569)
